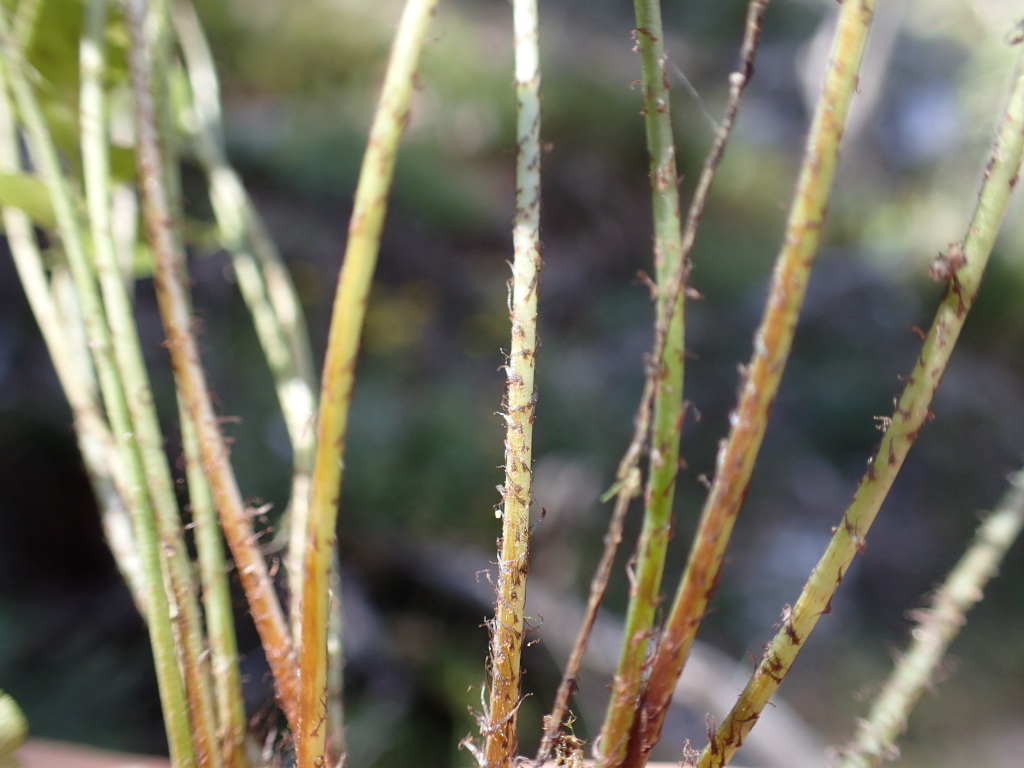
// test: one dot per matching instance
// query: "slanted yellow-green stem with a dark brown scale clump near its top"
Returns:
(964, 265)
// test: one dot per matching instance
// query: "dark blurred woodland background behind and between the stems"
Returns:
(417, 524)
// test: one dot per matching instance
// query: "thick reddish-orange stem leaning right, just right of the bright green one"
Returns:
(772, 349)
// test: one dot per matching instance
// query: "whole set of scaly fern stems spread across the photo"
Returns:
(87, 284)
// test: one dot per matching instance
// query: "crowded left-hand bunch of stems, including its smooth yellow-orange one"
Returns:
(189, 613)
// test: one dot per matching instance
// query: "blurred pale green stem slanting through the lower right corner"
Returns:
(937, 627)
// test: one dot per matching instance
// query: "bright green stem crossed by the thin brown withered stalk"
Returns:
(668, 409)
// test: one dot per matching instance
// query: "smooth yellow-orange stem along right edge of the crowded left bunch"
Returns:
(339, 376)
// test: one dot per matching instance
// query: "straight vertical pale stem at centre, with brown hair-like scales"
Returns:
(500, 724)
